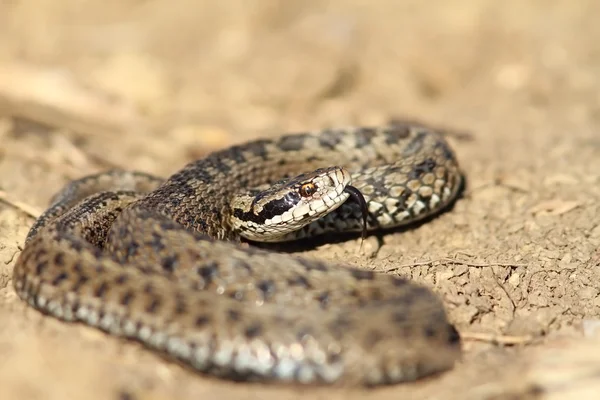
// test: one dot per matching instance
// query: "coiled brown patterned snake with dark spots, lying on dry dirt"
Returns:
(178, 266)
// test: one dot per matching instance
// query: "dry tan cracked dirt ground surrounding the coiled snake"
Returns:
(89, 84)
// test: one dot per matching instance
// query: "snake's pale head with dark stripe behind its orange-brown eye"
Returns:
(272, 214)
